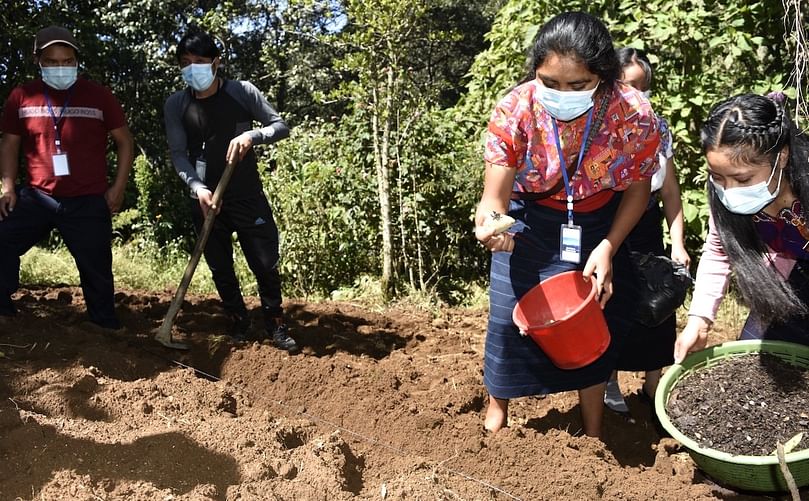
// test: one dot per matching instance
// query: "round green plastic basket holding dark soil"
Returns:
(754, 473)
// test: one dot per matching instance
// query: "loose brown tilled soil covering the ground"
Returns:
(380, 405)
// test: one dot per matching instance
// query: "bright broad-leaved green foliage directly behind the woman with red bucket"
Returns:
(702, 50)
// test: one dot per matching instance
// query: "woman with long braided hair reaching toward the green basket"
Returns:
(758, 166)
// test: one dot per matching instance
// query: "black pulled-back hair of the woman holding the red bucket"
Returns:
(579, 35)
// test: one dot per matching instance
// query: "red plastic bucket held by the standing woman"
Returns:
(562, 316)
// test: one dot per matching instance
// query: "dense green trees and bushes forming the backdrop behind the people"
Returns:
(388, 100)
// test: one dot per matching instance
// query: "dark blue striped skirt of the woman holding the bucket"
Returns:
(514, 366)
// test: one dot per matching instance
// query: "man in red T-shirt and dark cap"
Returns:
(62, 124)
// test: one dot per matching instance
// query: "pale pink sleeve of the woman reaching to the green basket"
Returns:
(713, 275)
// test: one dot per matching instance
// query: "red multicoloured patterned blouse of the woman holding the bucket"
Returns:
(625, 149)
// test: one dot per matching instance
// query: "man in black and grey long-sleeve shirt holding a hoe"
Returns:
(208, 123)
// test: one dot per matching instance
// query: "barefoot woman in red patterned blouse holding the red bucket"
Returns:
(569, 129)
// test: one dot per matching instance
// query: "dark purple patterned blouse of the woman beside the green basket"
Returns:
(786, 234)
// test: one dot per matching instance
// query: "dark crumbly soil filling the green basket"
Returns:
(743, 405)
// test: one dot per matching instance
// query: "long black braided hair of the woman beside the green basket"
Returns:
(754, 129)
